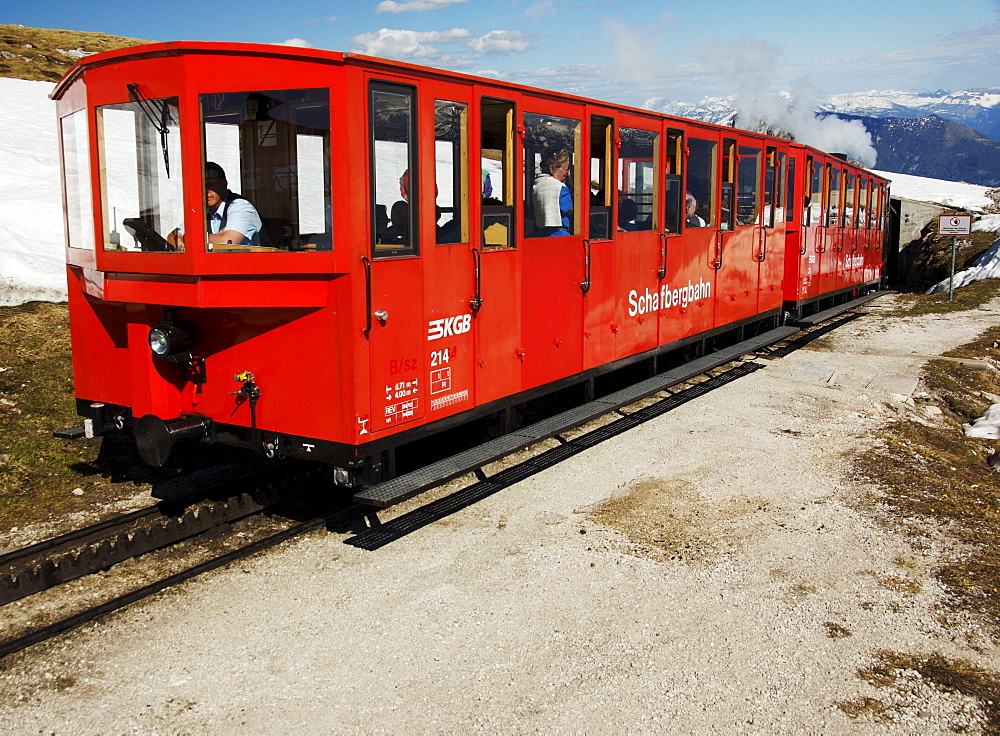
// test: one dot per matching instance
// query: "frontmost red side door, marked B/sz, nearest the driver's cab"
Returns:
(396, 328)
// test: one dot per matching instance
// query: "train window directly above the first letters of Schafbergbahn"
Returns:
(637, 176)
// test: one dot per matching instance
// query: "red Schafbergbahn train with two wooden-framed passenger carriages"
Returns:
(373, 254)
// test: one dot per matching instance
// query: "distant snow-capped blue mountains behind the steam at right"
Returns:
(940, 135)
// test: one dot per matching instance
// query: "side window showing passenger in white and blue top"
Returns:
(552, 180)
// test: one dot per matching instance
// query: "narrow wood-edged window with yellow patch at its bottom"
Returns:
(497, 161)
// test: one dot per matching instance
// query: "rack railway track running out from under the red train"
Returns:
(32, 572)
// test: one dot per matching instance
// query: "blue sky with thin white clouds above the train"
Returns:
(617, 50)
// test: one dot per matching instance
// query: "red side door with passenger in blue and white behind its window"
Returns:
(555, 167)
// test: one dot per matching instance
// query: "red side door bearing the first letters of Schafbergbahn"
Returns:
(638, 243)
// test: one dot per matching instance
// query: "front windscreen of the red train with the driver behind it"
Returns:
(267, 154)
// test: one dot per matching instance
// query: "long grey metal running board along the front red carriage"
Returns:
(406, 486)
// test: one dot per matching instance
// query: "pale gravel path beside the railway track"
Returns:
(721, 568)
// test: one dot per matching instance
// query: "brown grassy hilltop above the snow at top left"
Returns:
(40, 54)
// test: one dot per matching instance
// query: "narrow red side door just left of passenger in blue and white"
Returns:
(496, 301)
